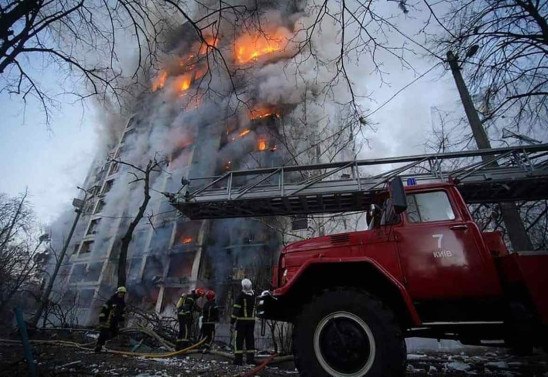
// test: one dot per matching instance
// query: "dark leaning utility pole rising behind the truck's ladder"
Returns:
(509, 211)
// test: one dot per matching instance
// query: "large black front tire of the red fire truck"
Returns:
(345, 332)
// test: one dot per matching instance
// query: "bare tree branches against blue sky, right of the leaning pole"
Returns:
(502, 47)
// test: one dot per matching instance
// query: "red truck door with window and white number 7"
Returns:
(441, 253)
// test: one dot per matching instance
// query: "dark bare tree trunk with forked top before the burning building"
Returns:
(144, 175)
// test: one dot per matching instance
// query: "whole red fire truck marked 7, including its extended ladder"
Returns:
(421, 268)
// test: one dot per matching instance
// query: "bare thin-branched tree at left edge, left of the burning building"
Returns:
(19, 244)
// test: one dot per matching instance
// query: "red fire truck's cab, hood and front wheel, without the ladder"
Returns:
(422, 268)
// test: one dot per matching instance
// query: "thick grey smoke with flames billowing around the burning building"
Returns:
(245, 97)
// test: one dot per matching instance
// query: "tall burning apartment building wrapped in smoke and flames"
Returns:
(226, 99)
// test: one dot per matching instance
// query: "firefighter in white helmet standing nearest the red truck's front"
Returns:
(243, 321)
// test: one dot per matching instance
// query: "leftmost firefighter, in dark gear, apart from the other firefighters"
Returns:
(111, 317)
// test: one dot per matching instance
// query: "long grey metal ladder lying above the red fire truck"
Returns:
(507, 174)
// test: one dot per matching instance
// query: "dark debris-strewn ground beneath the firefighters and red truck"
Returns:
(54, 359)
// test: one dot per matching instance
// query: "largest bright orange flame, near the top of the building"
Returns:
(251, 47)
